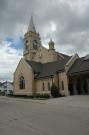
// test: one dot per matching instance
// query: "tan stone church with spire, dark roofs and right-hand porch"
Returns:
(41, 67)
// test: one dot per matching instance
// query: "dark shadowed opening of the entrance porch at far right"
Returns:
(79, 84)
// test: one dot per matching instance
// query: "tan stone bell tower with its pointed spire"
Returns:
(31, 41)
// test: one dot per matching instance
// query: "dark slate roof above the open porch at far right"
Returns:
(80, 66)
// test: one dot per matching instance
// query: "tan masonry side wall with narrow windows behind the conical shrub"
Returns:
(57, 80)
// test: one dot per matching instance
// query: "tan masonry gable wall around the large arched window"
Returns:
(23, 70)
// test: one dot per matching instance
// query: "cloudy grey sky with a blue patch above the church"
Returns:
(64, 21)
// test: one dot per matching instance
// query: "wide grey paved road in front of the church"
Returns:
(64, 116)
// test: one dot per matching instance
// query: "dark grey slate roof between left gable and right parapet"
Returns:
(48, 69)
